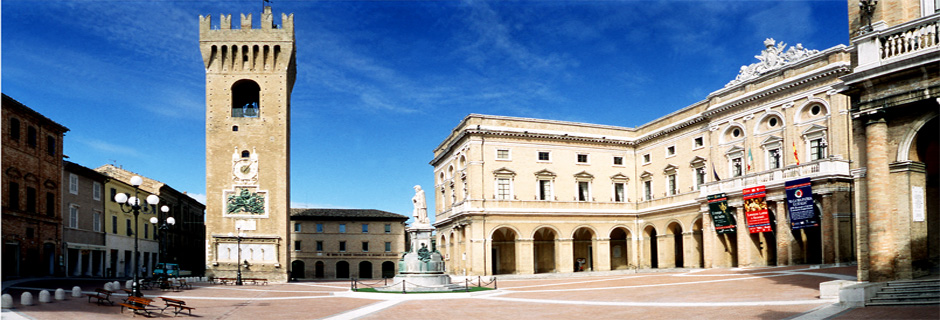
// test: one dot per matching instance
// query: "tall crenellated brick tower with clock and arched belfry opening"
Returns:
(250, 73)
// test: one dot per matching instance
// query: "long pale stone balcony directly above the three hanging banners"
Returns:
(821, 168)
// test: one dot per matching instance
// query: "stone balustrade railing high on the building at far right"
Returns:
(889, 44)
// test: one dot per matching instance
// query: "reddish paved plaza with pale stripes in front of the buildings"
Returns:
(759, 293)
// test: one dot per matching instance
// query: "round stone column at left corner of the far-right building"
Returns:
(882, 249)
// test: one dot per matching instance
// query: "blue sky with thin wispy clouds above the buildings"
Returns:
(381, 84)
